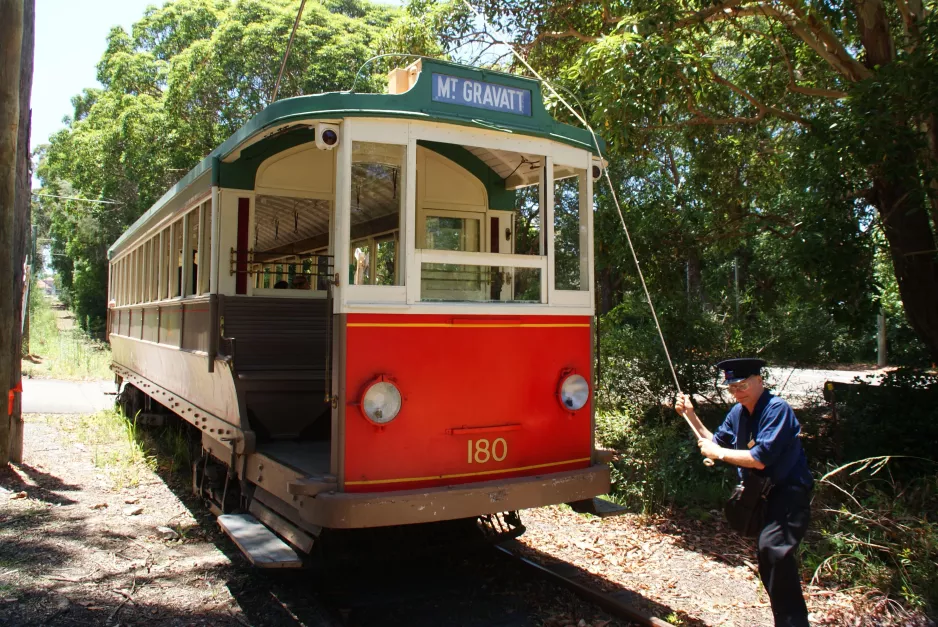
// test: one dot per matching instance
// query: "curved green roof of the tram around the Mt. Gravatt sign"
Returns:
(417, 103)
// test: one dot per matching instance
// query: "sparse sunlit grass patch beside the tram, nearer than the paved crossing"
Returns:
(119, 450)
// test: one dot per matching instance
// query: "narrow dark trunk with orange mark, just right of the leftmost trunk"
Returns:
(22, 230)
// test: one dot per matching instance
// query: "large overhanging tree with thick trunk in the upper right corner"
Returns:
(858, 80)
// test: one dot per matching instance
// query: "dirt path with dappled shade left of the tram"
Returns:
(76, 551)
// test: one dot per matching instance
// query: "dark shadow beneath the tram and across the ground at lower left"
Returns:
(391, 583)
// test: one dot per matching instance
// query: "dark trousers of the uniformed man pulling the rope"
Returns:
(787, 515)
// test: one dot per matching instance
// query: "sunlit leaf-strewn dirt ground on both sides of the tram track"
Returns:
(90, 536)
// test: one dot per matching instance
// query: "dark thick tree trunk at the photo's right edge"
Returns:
(912, 248)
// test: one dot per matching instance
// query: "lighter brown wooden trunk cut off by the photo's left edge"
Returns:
(11, 34)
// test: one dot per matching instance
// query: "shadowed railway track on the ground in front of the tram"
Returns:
(493, 586)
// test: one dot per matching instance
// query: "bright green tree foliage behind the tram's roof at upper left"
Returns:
(188, 75)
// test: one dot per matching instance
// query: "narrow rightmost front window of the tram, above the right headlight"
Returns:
(570, 234)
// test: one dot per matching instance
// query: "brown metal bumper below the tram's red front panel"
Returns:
(342, 510)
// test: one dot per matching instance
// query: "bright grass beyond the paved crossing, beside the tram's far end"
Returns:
(61, 353)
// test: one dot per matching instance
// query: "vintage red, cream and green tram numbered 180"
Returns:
(376, 309)
